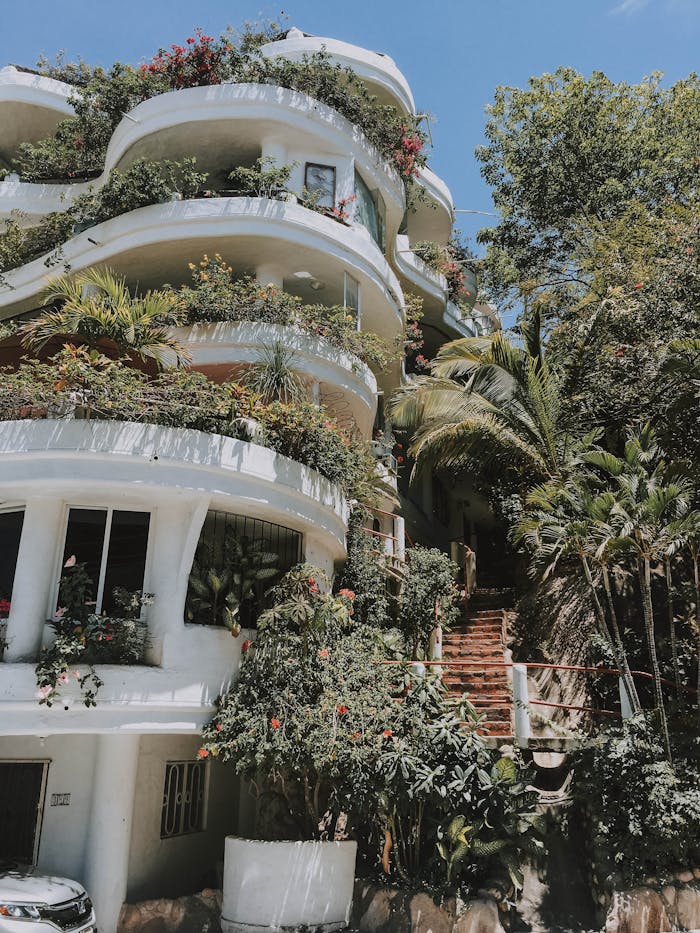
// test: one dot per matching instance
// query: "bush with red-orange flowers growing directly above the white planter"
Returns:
(308, 715)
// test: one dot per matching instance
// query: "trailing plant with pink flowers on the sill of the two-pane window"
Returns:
(83, 636)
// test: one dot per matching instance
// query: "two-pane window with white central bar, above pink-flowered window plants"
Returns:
(112, 544)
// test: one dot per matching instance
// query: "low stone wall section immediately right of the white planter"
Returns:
(378, 909)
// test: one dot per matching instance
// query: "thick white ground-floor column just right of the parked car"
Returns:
(109, 830)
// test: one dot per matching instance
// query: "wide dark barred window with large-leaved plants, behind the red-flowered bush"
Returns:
(237, 560)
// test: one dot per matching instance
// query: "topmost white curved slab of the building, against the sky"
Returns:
(378, 71)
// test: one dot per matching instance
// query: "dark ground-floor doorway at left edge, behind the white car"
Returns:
(22, 787)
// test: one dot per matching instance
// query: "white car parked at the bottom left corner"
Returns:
(33, 903)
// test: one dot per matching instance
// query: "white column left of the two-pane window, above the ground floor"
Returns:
(34, 577)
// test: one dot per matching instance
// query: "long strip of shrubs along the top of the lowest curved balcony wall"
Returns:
(109, 390)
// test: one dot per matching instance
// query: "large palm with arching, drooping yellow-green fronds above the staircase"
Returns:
(488, 402)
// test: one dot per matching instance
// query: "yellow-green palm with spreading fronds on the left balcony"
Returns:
(97, 304)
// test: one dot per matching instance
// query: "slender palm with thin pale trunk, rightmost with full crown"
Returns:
(648, 507)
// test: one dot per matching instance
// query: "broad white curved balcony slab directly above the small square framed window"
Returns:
(223, 126)
